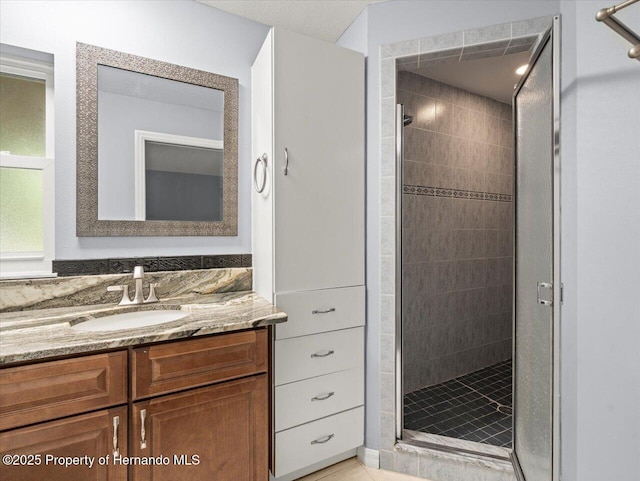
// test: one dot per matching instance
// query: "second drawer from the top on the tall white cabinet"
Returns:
(309, 356)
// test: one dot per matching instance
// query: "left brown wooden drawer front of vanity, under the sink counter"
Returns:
(49, 390)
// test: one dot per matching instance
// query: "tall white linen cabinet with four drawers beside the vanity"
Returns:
(308, 241)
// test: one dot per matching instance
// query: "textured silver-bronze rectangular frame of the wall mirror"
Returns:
(88, 57)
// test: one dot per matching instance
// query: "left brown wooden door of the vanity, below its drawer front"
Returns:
(85, 438)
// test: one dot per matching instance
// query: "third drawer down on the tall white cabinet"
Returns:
(303, 401)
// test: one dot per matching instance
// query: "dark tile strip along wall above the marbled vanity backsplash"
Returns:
(84, 267)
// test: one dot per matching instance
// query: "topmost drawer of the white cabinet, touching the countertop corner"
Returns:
(312, 312)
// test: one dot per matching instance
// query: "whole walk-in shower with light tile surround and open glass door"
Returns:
(474, 335)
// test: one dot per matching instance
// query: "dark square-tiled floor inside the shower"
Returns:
(474, 407)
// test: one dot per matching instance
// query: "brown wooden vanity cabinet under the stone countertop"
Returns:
(199, 407)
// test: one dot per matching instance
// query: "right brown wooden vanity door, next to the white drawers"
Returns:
(214, 433)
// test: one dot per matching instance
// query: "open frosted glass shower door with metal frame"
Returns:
(534, 268)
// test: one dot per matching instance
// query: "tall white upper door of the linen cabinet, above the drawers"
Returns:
(319, 203)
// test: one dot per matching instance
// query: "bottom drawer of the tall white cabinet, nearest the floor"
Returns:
(310, 443)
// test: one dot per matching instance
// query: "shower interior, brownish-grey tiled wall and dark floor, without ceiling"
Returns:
(457, 257)
